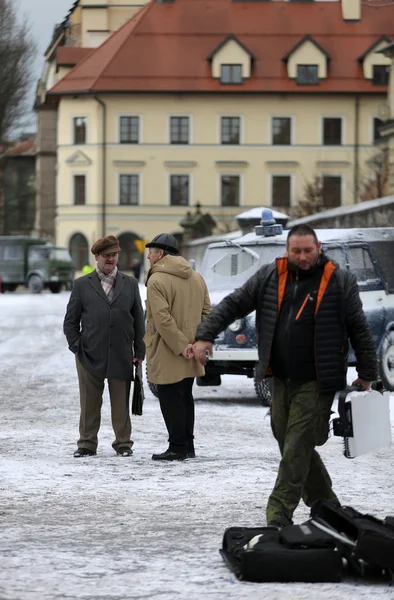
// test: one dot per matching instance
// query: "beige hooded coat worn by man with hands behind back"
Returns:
(177, 301)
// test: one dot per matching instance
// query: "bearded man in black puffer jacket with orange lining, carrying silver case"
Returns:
(307, 310)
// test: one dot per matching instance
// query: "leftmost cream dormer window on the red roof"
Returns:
(231, 61)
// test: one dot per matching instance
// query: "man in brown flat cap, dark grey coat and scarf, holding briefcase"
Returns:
(104, 327)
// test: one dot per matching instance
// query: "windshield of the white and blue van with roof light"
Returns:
(228, 267)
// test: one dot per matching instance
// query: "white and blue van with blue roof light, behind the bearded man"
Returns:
(368, 253)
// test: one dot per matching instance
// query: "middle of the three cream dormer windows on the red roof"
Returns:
(307, 62)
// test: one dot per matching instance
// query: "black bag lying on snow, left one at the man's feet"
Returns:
(296, 553)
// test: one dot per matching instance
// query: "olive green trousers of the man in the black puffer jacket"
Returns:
(300, 421)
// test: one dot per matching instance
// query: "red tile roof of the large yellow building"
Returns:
(164, 48)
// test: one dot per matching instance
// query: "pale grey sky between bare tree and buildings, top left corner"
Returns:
(42, 16)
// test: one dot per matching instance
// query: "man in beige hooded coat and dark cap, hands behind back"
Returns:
(177, 300)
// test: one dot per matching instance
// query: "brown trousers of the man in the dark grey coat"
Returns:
(91, 398)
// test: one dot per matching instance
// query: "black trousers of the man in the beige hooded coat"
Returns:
(177, 407)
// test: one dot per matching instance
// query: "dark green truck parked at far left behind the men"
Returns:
(34, 264)
